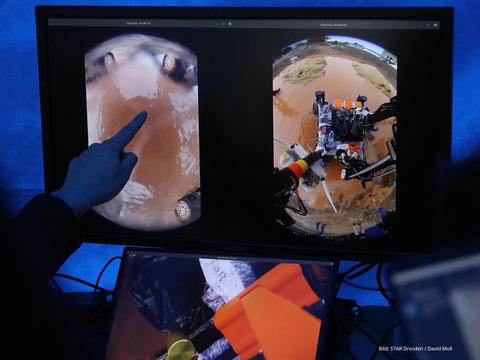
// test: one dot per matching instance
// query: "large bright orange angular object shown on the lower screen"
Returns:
(268, 317)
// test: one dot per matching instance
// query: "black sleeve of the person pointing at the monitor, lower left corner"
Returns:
(34, 245)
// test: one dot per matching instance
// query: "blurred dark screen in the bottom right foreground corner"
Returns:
(437, 292)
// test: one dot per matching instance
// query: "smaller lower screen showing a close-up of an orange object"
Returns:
(219, 308)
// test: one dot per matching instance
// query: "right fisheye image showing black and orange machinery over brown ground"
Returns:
(334, 110)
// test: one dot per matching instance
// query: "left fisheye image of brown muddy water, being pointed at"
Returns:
(124, 76)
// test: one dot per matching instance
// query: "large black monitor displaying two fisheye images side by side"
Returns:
(274, 126)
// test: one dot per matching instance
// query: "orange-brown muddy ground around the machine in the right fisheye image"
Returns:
(344, 77)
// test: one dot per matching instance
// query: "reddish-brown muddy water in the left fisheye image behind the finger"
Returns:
(167, 146)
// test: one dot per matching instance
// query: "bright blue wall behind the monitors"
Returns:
(21, 166)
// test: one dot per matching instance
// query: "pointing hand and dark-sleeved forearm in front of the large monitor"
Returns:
(45, 232)
